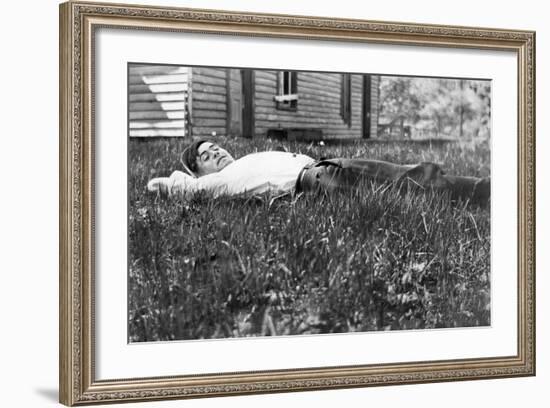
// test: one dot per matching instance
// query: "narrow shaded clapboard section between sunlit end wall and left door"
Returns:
(209, 106)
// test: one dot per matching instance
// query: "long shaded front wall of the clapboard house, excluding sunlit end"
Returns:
(318, 103)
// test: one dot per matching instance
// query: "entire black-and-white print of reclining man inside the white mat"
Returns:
(268, 202)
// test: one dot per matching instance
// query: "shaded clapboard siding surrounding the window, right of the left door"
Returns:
(318, 104)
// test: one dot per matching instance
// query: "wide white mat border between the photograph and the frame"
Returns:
(115, 358)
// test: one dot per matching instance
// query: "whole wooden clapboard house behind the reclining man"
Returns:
(173, 101)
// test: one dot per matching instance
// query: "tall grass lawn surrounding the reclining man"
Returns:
(367, 260)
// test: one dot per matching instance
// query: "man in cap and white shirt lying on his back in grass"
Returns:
(212, 169)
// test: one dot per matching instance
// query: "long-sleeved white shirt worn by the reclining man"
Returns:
(256, 173)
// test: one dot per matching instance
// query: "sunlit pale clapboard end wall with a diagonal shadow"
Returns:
(158, 100)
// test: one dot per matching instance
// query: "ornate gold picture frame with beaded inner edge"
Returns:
(79, 383)
